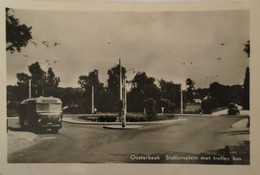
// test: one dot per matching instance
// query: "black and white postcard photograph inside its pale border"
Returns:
(167, 87)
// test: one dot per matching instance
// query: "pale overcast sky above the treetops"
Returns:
(206, 46)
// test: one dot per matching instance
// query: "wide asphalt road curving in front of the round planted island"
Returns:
(181, 142)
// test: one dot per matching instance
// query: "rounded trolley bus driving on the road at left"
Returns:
(41, 112)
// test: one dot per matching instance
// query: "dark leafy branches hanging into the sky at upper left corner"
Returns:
(17, 34)
